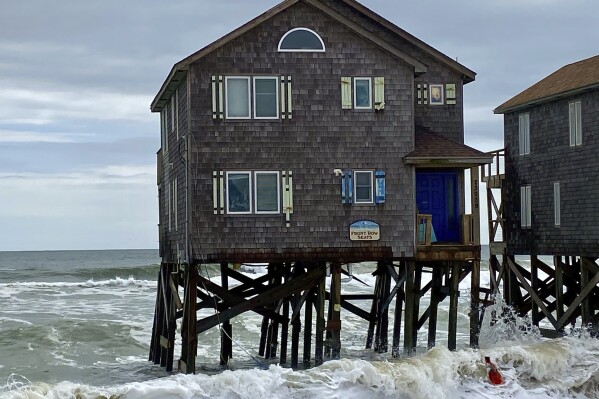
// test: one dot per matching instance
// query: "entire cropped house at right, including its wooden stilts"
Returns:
(548, 191)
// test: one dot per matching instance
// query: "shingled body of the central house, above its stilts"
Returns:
(316, 116)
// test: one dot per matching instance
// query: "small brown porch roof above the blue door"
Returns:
(432, 149)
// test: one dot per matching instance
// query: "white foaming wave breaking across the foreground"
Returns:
(561, 368)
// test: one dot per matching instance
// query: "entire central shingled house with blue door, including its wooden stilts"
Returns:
(317, 135)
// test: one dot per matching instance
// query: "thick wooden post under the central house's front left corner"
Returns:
(189, 336)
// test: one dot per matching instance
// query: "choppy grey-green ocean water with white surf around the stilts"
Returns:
(77, 324)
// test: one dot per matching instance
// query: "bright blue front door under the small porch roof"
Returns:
(437, 195)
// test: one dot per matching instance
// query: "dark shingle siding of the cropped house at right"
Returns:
(551, 159)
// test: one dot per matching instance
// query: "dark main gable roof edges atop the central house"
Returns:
(178, 71)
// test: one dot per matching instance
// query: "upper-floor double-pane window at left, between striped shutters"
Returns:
(238, 97)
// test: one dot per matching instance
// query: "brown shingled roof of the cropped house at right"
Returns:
(566, 81)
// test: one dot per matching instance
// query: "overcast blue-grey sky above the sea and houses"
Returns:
(77, 139)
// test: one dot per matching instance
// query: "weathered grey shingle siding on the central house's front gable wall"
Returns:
(321, 137)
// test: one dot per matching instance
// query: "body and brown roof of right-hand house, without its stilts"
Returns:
(551, 187)
